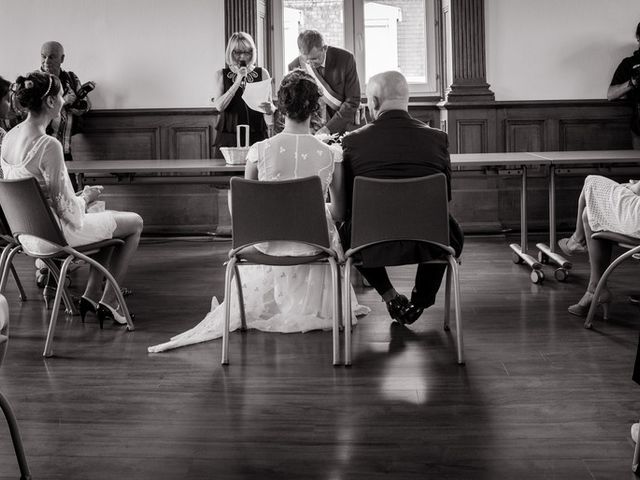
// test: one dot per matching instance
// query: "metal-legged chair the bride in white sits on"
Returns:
(292, 211)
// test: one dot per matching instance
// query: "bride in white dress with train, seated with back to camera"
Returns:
(285, 299)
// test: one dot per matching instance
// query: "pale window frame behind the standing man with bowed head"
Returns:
(429, 91)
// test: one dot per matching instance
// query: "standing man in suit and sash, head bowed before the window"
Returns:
(335, 71)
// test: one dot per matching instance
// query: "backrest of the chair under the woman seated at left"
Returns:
(27, 211)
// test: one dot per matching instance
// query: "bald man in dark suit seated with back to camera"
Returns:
(395, 145)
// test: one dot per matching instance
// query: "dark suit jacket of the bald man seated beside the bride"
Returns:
(396, 145)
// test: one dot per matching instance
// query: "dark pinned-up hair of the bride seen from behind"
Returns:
(298, 95)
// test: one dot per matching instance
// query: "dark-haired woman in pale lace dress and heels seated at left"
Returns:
(27, 151)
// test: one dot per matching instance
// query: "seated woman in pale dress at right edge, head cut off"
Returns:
(603, 205)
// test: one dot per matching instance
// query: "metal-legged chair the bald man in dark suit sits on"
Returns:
(414, 209)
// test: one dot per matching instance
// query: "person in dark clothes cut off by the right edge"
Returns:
(625, 84)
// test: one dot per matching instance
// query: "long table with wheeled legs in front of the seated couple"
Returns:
(514, 163)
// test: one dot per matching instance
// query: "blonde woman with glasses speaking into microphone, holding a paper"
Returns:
(242, 94)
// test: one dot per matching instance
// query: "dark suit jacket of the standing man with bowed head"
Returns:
(342, 76)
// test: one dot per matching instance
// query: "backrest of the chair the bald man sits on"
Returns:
(385, 210)
